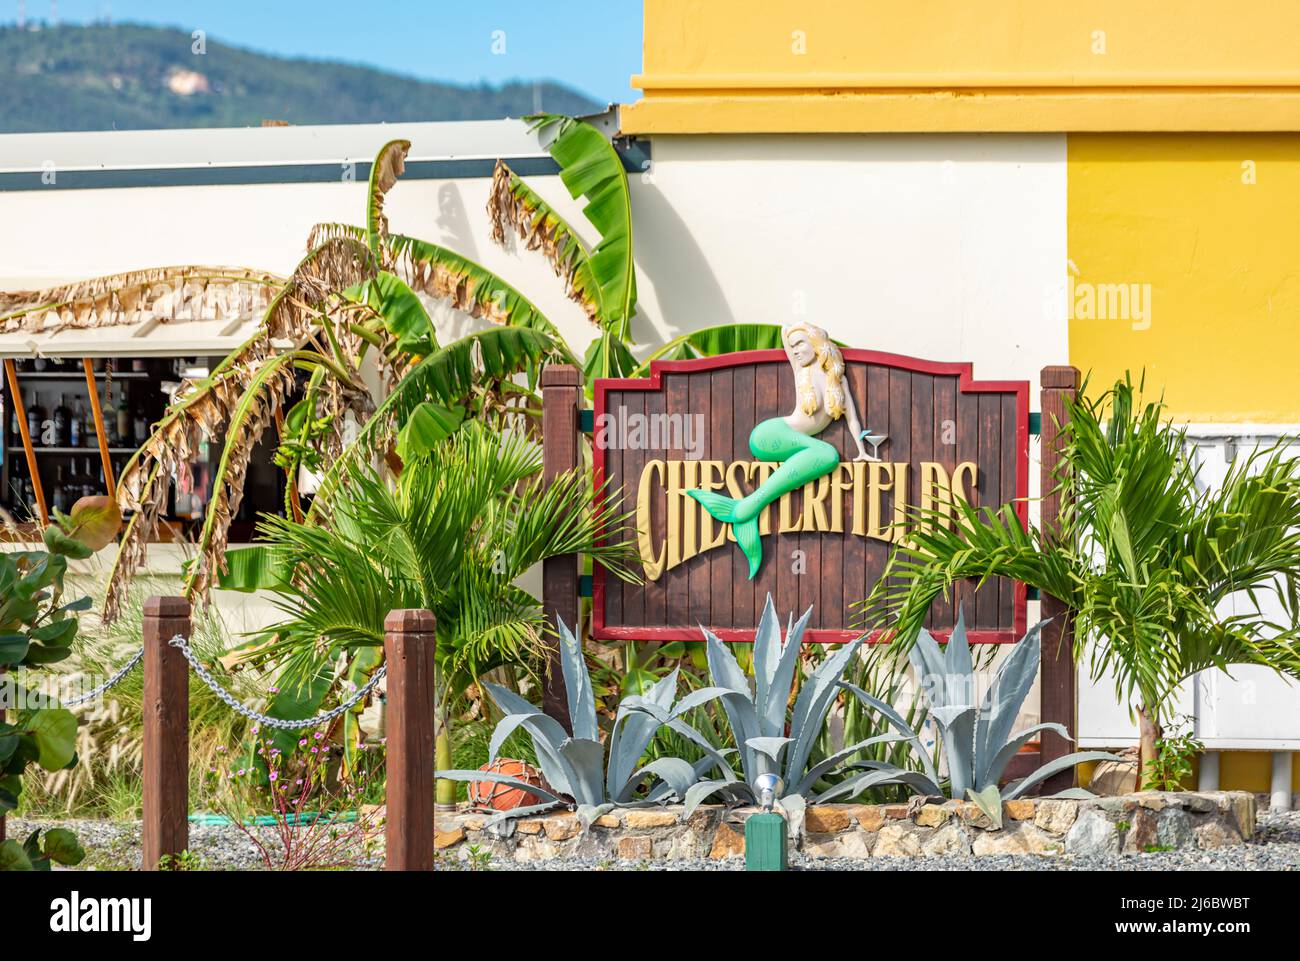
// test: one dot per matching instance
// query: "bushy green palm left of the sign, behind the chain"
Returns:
(452, 534)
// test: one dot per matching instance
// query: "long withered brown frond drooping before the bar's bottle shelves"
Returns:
(237, 400)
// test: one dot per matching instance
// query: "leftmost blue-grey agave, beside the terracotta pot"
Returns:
(575, 768)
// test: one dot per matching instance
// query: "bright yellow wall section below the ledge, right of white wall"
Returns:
(1220, 256)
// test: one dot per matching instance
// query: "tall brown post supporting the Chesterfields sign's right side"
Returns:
(1058, 678)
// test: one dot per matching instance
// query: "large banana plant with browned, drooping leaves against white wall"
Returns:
(354, 300)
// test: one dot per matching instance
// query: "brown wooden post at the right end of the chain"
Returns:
(409, 639)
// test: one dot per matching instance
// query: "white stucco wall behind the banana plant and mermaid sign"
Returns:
(943, 248)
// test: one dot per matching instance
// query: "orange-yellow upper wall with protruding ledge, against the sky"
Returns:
(1013, 66)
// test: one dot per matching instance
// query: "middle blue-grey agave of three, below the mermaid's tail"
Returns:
(757, 715)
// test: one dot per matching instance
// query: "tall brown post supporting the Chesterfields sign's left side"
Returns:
(561, 393)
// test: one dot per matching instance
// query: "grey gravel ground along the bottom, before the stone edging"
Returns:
(115, 846)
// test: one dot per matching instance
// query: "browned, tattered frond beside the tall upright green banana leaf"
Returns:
(512, 204)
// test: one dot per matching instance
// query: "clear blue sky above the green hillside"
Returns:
(591, 45)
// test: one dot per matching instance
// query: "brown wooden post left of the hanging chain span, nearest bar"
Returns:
(167, 731)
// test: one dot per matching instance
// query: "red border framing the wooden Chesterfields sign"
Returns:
(967, 384)
